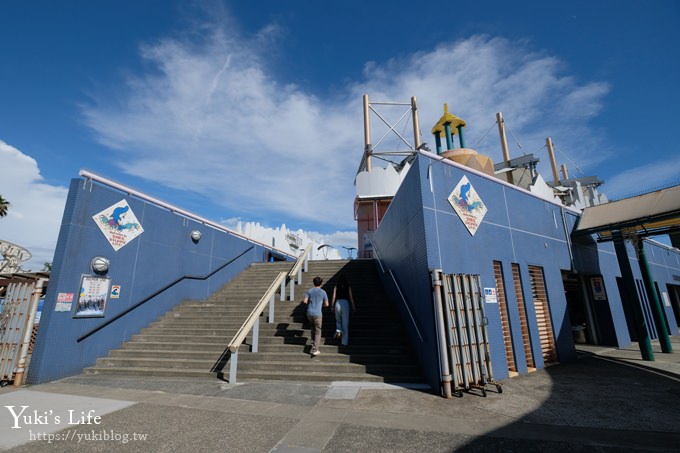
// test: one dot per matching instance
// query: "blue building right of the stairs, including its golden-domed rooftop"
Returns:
(454, 212)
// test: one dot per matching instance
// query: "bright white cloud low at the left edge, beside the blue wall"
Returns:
(34, 216)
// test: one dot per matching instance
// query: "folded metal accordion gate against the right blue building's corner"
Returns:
(466, 334)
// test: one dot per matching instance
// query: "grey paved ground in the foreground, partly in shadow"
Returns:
(608, 400)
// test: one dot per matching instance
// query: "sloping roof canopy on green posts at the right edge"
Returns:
(649, 214)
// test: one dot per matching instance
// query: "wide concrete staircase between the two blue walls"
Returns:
(190, 340)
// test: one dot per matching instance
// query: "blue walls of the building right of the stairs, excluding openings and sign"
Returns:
(421, 231)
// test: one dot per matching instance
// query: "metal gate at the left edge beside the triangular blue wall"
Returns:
(16, 328)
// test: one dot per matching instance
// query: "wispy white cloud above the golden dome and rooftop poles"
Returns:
(480, 76)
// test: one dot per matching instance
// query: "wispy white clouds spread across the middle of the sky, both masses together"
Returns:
(211, 118)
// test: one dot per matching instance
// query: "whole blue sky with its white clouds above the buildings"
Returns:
(252, 110)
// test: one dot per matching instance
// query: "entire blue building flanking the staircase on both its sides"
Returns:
(543, 286)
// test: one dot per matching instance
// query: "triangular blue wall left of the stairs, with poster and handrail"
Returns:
(163, 253)
